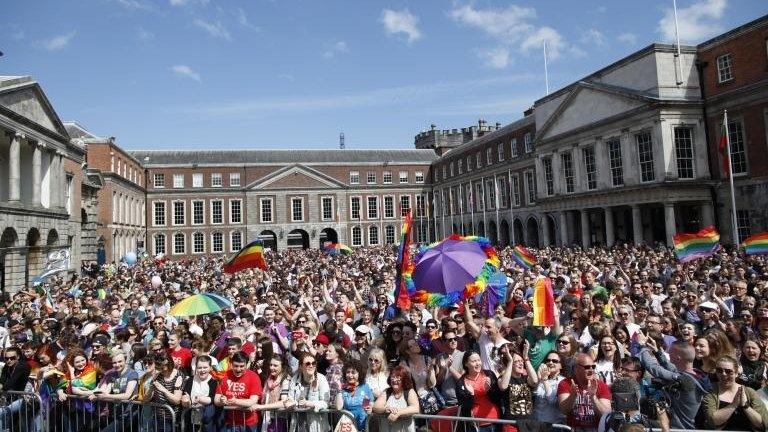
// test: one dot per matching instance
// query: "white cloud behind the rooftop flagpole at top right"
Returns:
(698, 21)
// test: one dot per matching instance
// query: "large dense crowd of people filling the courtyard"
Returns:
(639, 340)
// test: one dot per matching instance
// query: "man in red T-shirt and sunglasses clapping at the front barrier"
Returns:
(584, 398)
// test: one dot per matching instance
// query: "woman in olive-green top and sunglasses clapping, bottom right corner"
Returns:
(732, 406)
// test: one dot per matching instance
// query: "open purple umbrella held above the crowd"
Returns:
(449, 266)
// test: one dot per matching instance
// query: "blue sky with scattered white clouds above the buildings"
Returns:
(206, 74)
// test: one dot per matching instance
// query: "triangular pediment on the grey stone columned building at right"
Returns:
(589, 104)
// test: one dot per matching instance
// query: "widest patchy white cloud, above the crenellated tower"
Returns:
(512, 28)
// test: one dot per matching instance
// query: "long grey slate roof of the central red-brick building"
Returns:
(240, 157)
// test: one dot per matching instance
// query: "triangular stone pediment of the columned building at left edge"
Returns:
(30, 102)
